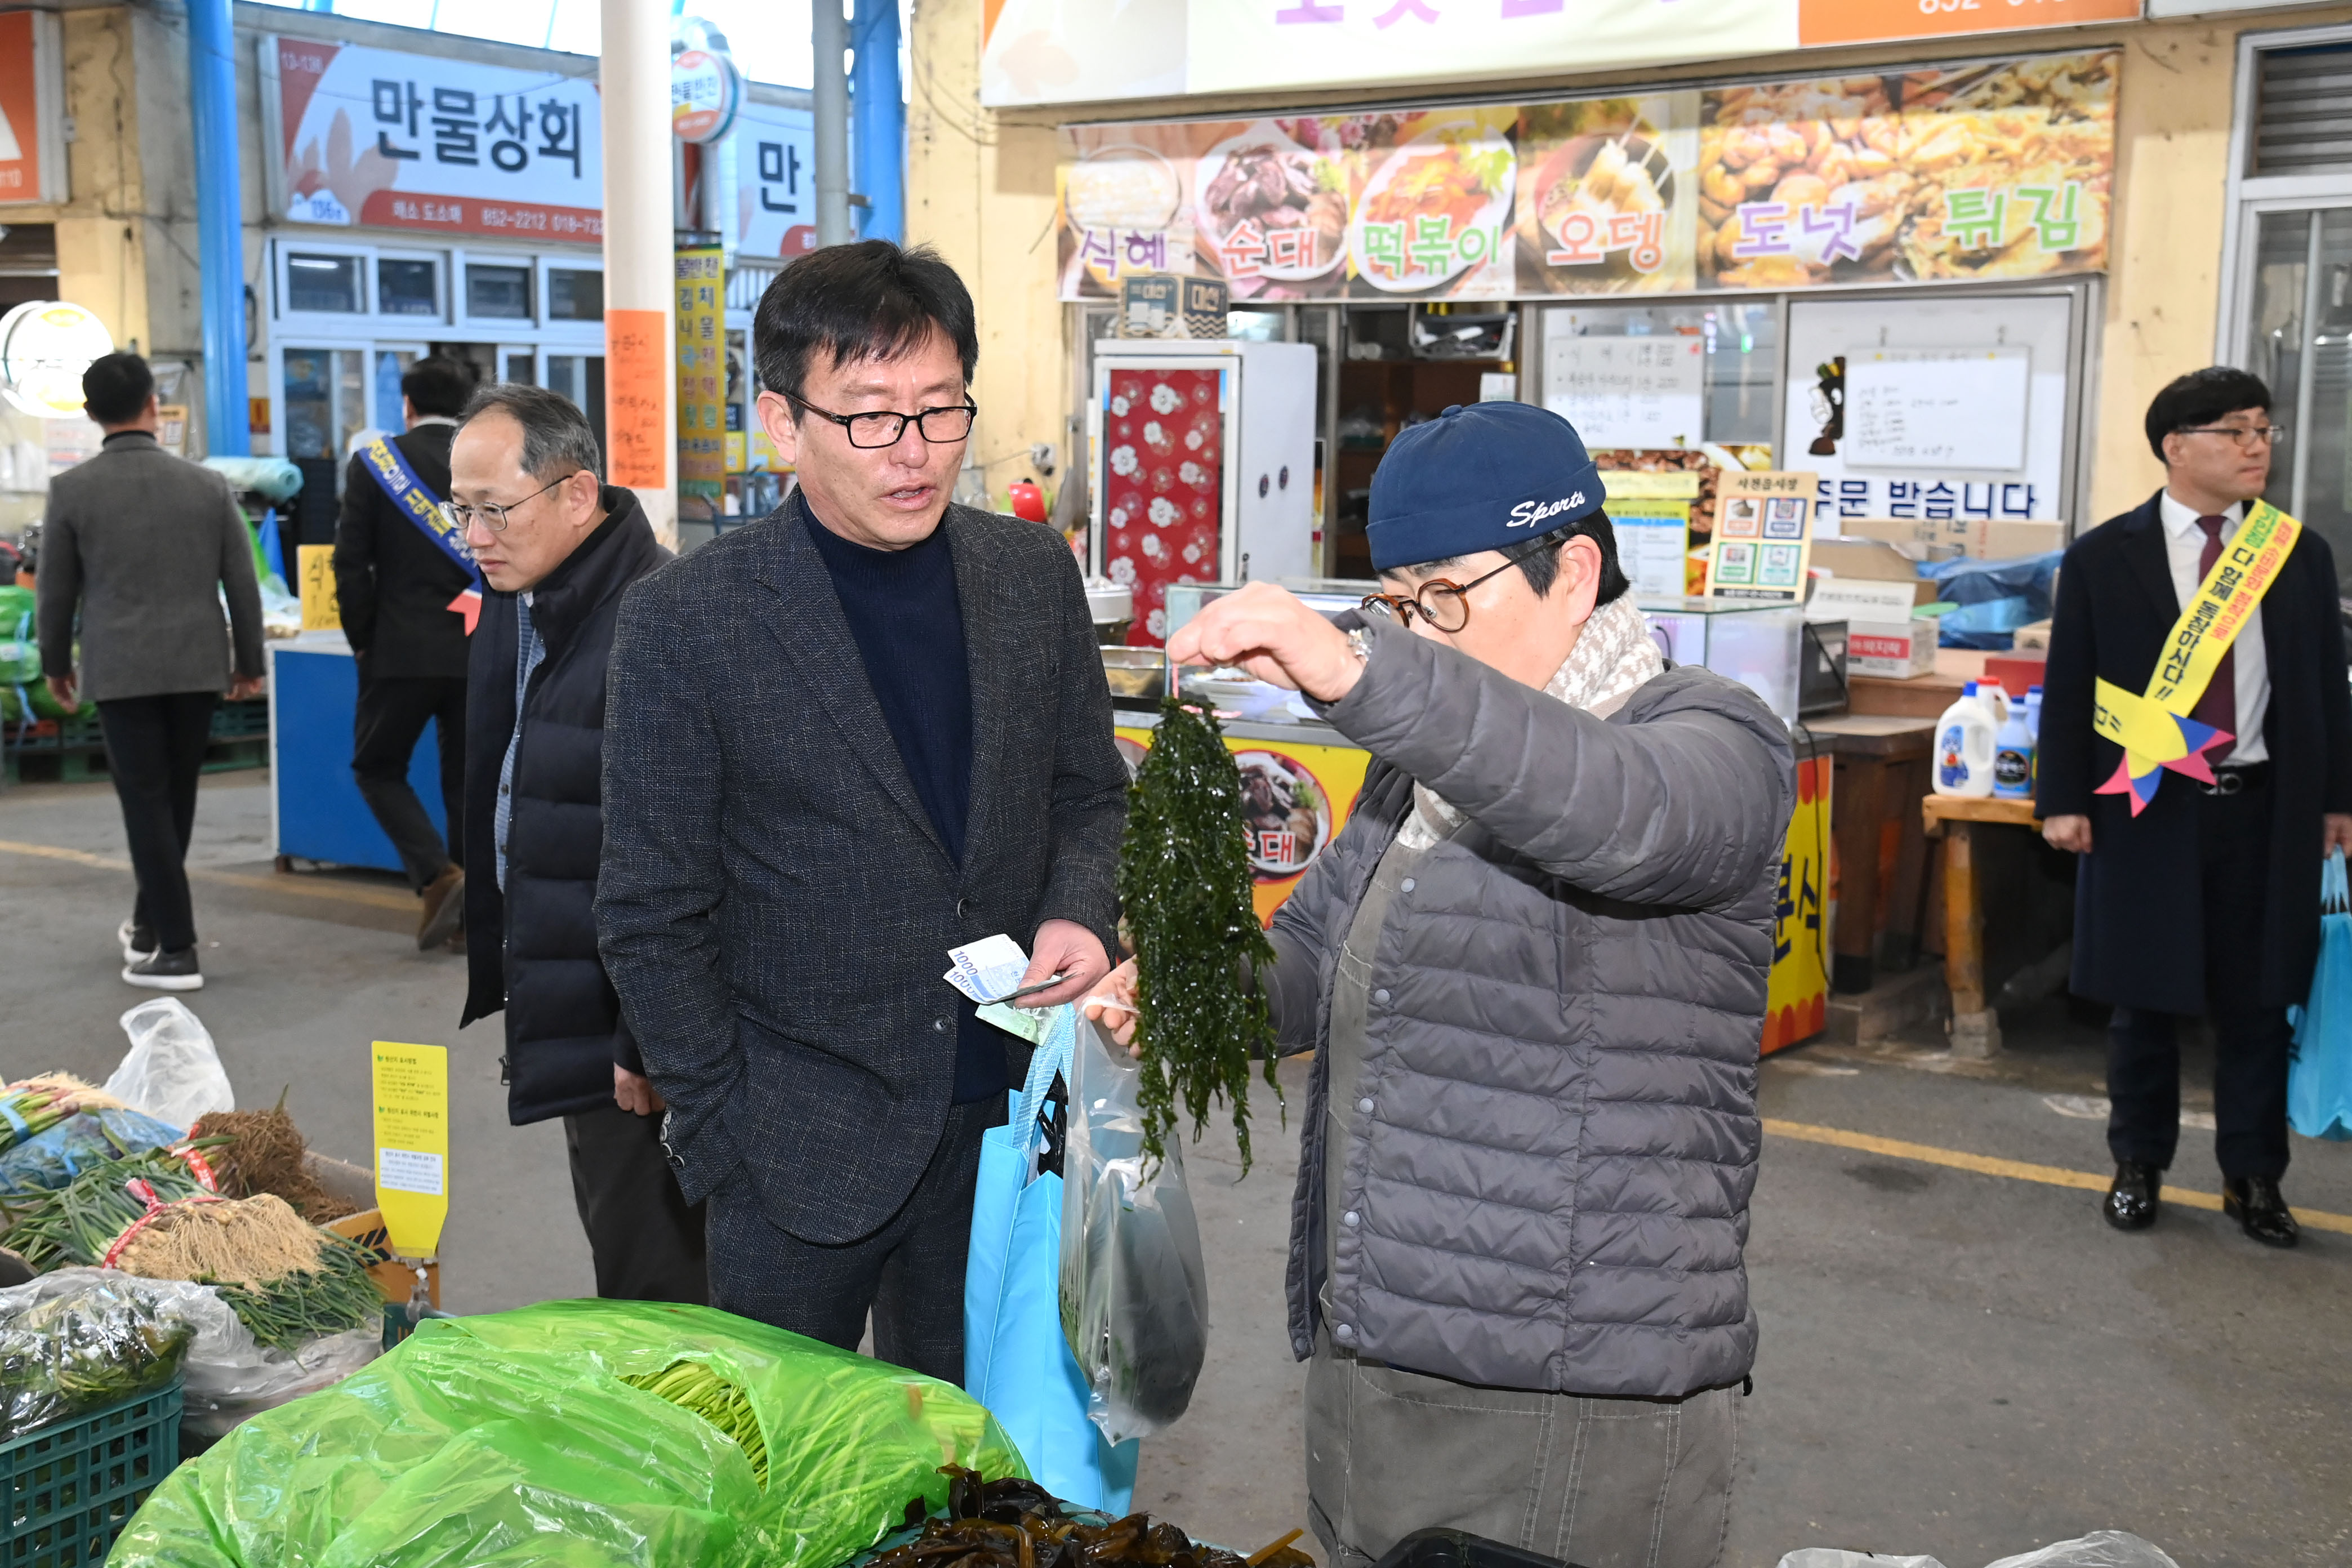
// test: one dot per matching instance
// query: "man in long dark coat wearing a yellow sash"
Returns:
(2200, 763)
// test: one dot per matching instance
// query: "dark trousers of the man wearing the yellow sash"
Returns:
(2250, 1040)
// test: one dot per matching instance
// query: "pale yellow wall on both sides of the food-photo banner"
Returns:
(982, 189)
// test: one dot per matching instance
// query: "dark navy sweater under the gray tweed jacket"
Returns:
(909, 629)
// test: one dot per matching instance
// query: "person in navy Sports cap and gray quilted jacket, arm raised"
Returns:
(1532, 972)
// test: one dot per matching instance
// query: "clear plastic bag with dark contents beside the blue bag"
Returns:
(1135, 1294)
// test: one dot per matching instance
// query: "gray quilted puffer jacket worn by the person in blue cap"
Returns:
(1551, 1181)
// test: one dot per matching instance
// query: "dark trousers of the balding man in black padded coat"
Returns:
(646, 1240)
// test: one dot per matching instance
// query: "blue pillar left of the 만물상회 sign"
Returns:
(220, 225)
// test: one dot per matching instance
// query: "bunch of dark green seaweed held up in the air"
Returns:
(1187, 887)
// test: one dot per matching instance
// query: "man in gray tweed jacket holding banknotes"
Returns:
(841, 742)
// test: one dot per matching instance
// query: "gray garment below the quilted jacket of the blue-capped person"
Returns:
(1593, 1482)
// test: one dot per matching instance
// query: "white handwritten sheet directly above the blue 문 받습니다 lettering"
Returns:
(1939, 408)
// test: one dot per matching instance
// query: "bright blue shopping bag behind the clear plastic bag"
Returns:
(1015, 1355)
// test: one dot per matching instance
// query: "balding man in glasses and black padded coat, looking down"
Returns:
(556, 549)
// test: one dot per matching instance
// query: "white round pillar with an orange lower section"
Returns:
(641, 323)
